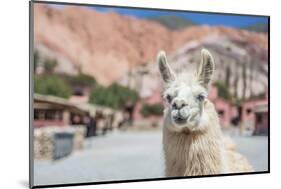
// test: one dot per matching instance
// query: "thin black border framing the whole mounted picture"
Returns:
(31, 48)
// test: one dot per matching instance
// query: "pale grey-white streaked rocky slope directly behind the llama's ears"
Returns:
(242, 68)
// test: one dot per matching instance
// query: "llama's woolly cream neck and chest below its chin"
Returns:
(194, 153)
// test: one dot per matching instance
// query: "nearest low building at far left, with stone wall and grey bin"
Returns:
(59, 127)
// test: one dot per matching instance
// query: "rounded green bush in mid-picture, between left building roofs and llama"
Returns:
(114, 96)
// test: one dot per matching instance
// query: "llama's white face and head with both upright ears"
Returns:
(186, 94)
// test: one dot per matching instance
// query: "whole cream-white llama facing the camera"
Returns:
(192, 138)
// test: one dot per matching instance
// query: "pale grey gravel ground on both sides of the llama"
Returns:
(128, 155)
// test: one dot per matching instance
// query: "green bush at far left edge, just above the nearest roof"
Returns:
(51, 85)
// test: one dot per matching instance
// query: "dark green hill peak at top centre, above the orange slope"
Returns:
(172, 22)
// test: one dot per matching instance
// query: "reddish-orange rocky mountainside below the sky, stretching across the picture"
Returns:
(108, 45)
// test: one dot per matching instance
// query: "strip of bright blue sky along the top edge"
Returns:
(199, 18)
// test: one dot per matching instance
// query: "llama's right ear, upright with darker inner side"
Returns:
(206, 68)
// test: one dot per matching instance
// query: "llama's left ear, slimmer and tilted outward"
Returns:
(166, 72)
